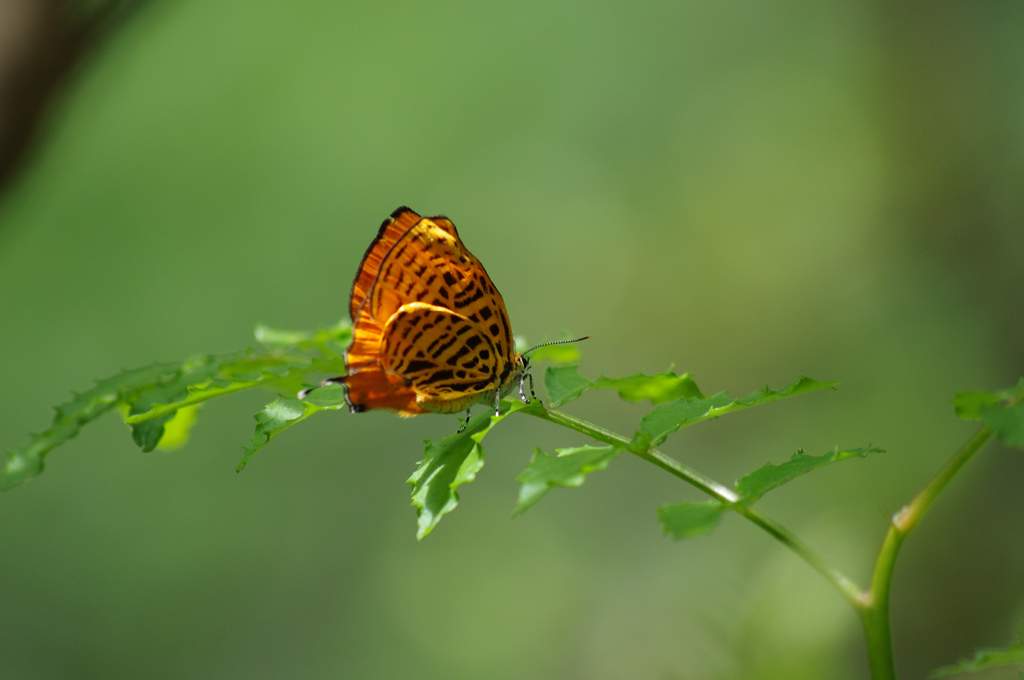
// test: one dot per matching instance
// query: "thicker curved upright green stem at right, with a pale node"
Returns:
(874, 607)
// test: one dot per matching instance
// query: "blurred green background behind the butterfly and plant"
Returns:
(749, 192)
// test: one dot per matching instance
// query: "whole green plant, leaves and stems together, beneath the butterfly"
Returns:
(160, 405)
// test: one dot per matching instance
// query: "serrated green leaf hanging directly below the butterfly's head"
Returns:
(447, 465)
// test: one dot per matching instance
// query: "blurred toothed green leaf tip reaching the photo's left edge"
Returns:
(19, 465)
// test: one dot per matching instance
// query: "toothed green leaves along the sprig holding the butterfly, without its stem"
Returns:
(159, 404)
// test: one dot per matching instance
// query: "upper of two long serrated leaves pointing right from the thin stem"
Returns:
(668, 418)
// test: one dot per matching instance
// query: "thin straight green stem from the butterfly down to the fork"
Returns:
(723, 494)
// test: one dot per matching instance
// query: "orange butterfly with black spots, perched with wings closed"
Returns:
(431, 331)
